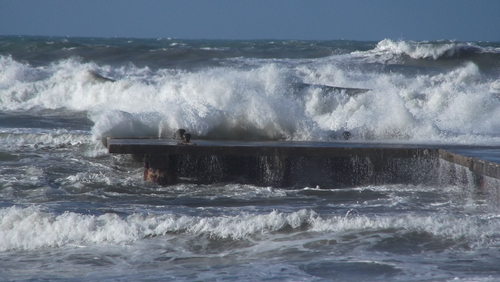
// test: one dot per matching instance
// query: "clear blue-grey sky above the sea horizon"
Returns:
(372, 20)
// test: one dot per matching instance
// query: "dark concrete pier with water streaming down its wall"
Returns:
(288, 164)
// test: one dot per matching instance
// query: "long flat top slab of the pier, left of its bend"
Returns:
(264, 148)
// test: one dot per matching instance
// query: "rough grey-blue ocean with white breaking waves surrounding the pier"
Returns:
(71, 211)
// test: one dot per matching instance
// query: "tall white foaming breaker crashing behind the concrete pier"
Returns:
(457, 106)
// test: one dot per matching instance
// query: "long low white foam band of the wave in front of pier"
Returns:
(30, 228)
